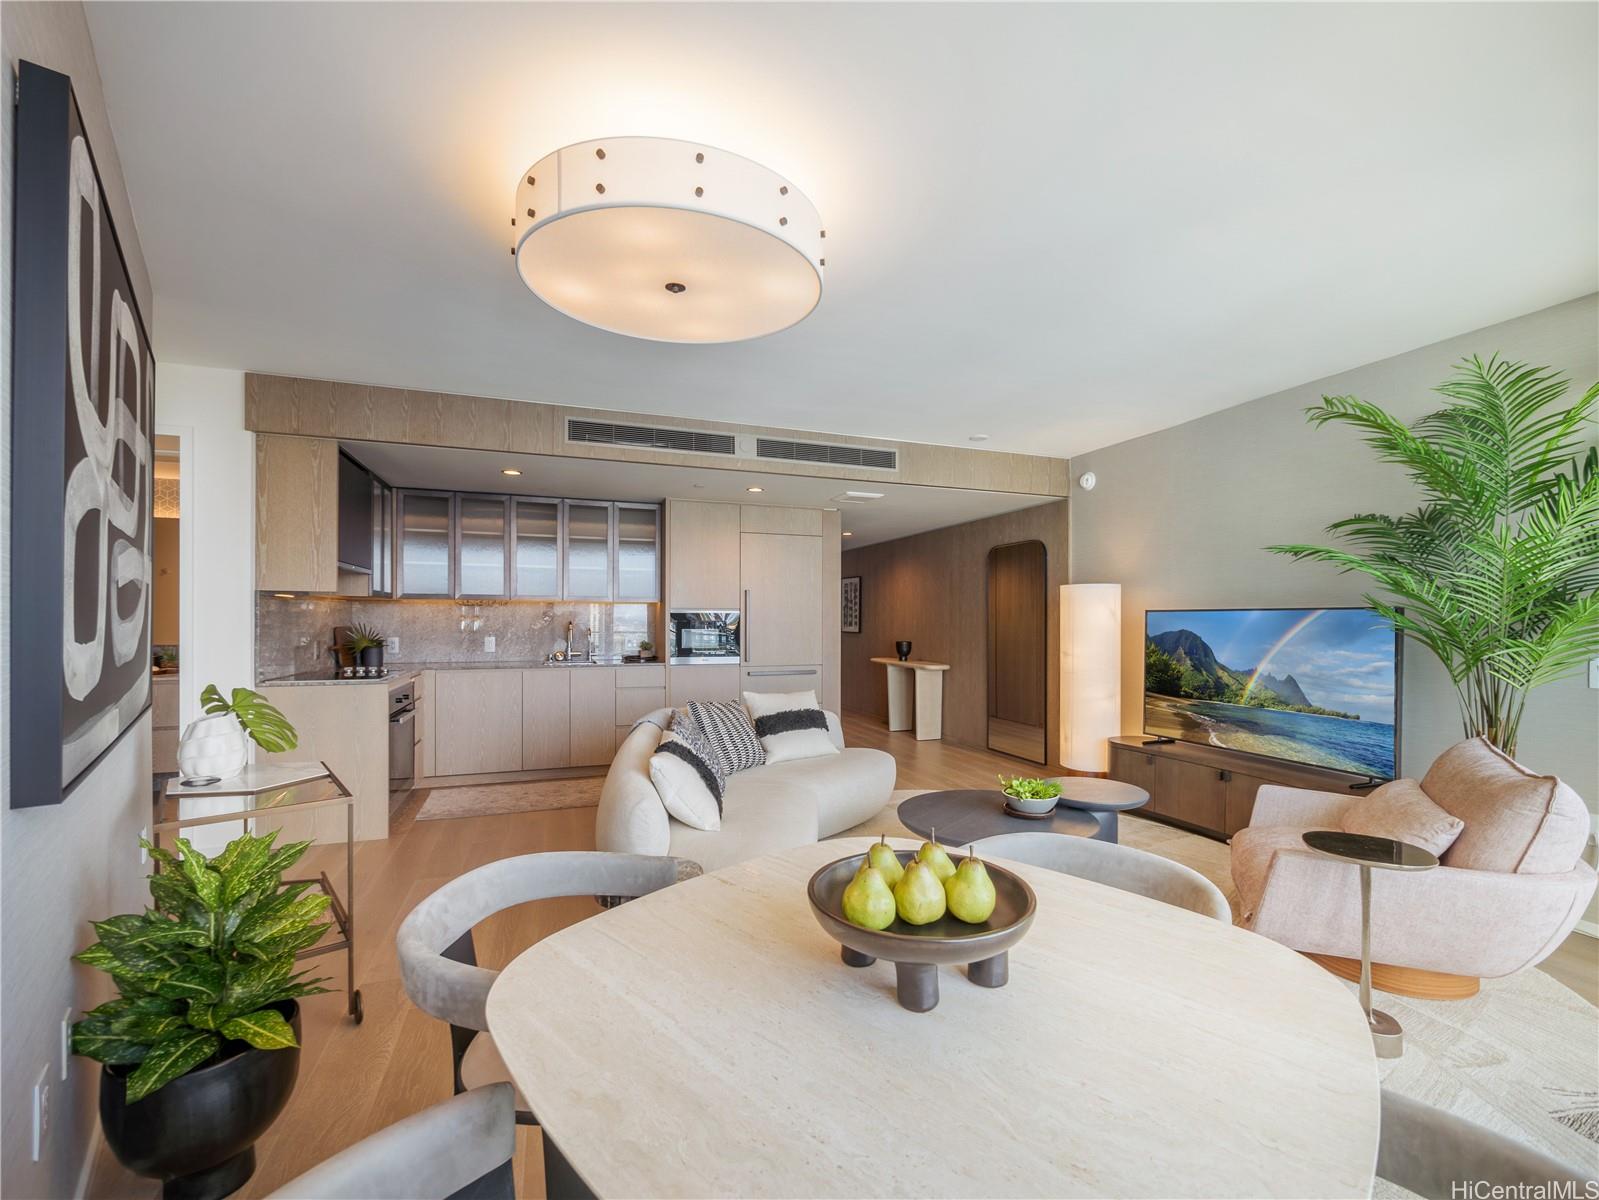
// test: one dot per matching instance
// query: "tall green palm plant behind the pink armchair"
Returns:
(1497, 574)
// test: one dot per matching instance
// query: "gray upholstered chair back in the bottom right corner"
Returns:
(1443, 1158)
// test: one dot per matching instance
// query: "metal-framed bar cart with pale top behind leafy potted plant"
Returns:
(277, 791)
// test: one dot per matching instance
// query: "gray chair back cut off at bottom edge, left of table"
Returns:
(457, 1151)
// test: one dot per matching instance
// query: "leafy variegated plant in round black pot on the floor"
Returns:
(201, 1047)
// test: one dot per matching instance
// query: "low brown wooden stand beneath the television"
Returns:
(1208, 790)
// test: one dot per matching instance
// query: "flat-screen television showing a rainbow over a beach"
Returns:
(1306, 686)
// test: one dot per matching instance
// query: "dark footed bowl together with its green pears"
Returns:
(922, 911)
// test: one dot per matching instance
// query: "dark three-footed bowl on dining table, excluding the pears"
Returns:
(917, 951)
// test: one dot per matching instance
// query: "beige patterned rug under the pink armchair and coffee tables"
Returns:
(1521, 1057)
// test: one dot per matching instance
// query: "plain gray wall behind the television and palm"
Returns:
(1179, 519)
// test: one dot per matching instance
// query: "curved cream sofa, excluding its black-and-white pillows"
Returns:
(767, 809)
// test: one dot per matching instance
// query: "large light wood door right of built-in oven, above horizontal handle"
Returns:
(781, 575)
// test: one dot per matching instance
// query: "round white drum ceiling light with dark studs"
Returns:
(668, 241)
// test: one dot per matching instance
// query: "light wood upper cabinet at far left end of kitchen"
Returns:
(297, 514)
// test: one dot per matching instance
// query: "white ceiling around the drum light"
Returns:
(1056, 225)
